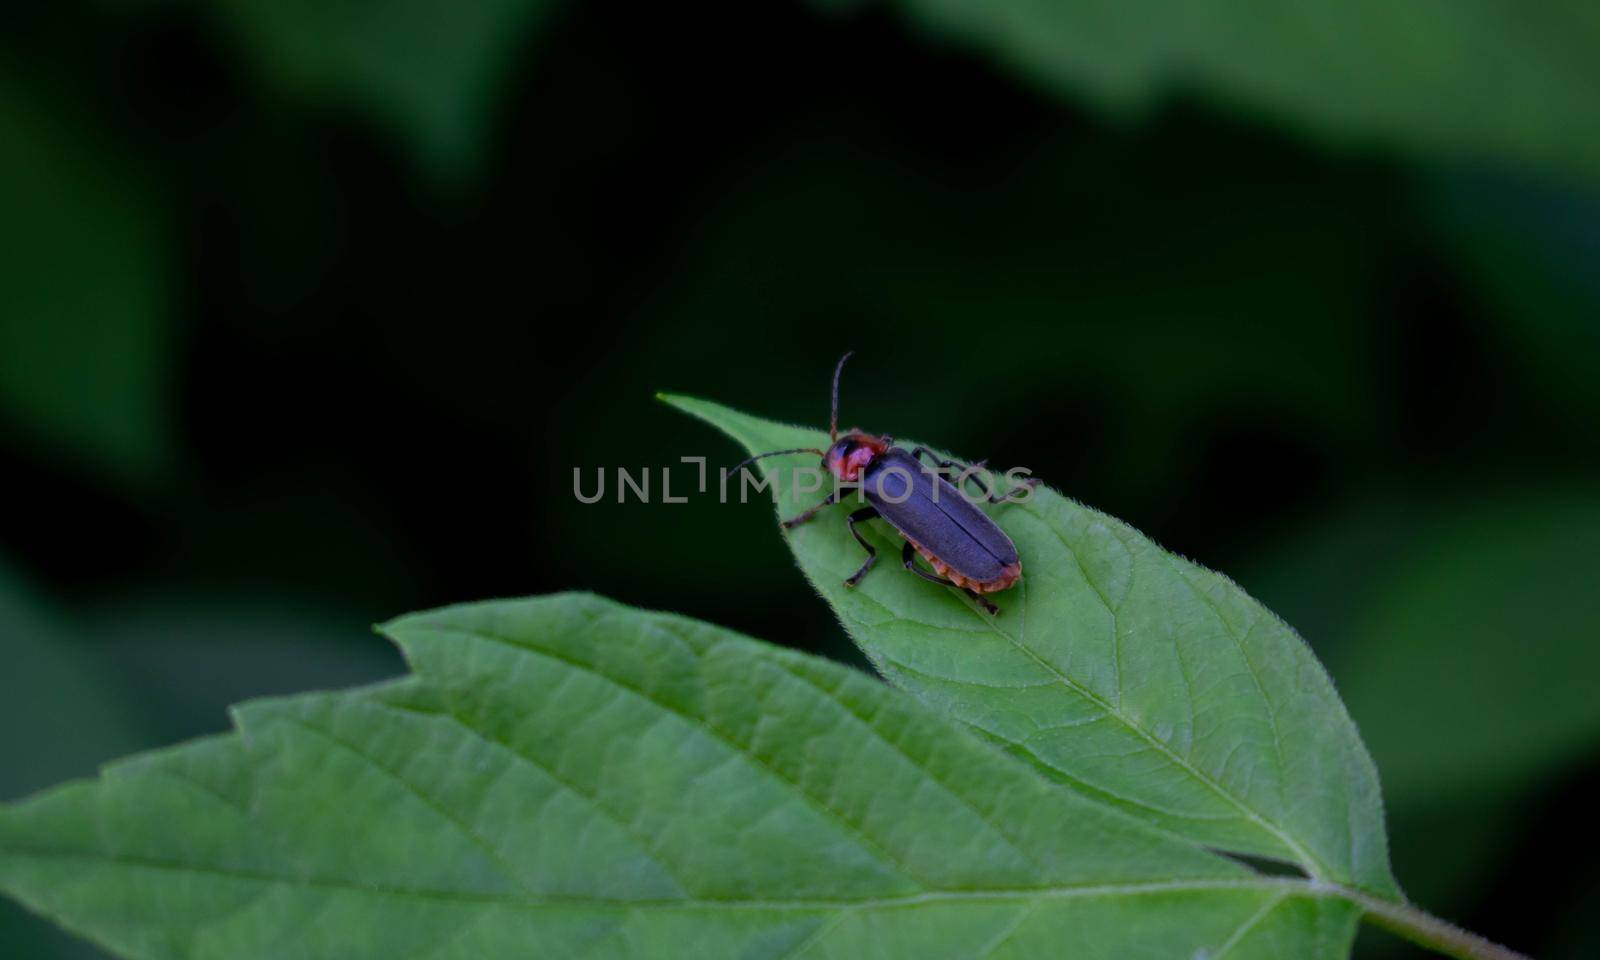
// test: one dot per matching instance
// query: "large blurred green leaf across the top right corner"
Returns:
(1446, 78)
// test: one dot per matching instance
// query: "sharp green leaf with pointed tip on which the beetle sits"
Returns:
(1130, 674)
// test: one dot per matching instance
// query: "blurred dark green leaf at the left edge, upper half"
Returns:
(86, 327)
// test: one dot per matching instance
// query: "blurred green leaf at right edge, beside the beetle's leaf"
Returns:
(1484, 700)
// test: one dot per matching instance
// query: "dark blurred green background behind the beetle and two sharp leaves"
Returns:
(308, 313)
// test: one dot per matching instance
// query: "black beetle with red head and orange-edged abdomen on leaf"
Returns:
(962, 545)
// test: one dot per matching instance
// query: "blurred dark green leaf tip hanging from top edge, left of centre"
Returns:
(431, 70)
